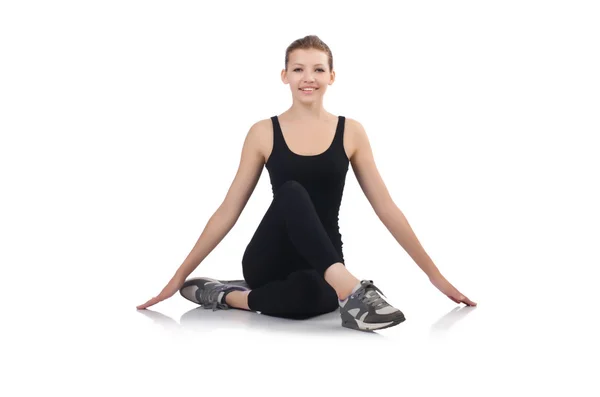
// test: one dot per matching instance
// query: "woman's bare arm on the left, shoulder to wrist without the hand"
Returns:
(226, 216)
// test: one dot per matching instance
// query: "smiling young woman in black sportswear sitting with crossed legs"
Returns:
(294, 265)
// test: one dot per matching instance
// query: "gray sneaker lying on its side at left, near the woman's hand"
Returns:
(208, 292)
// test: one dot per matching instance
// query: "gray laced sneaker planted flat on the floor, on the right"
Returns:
(366, 310)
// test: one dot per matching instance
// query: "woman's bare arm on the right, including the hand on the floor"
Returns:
(370, 181)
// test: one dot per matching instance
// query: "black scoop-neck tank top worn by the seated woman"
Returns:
(323, 175)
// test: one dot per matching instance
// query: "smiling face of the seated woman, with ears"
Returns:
(308, 68)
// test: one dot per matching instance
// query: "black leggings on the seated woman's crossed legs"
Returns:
(285, 262)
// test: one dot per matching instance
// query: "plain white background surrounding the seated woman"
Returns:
(122, 124)
